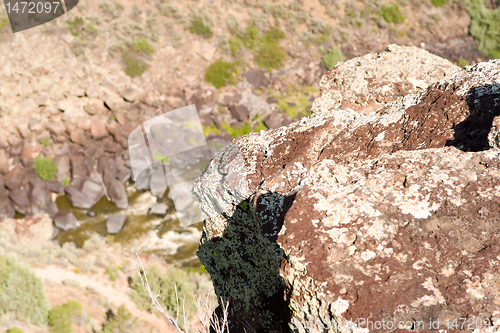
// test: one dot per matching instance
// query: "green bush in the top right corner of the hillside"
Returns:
(485, 27)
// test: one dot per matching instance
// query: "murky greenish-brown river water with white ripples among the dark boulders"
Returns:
(142, 232)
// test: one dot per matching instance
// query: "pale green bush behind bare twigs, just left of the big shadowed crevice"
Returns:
(164, 283)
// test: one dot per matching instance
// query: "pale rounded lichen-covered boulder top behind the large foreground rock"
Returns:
(367, 83)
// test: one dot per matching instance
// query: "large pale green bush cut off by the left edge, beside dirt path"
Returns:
(21, 292)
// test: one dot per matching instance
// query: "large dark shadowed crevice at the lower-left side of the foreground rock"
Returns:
(245, 263)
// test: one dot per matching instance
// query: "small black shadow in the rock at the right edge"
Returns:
(471, 135)
